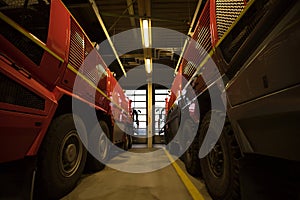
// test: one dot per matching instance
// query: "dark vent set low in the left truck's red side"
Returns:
(13, 93)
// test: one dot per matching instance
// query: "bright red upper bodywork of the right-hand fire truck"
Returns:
(205, 35)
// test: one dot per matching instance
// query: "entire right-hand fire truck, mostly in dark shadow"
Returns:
(255, 46)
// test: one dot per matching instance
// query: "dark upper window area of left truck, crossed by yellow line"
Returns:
(33, 16)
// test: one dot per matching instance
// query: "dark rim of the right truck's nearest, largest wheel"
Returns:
(216, 160)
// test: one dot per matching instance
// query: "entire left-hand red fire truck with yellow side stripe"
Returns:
(41, 53)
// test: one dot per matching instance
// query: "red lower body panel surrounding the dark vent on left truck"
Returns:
(20, 126)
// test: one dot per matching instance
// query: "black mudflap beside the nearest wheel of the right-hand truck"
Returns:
(264, 178)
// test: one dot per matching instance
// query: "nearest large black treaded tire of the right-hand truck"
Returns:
(220, 168)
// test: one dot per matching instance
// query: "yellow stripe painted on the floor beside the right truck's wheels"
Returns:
(194, 192)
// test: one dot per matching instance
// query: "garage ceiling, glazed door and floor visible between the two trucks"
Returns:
(119, 16)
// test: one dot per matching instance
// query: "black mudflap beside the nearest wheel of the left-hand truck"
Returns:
(17, 179)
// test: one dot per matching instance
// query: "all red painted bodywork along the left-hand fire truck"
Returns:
(22, 129)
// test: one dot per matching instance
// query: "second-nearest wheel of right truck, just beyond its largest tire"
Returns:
(190, 157)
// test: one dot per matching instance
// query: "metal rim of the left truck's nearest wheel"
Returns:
(71, 152)
